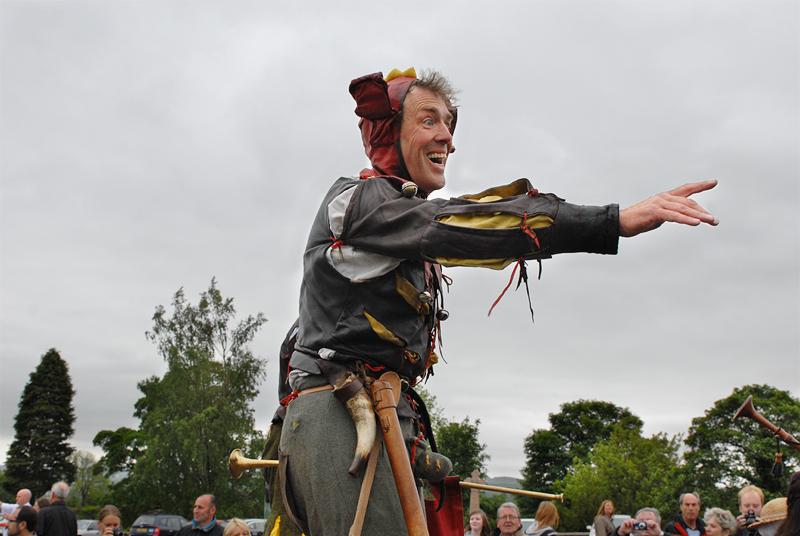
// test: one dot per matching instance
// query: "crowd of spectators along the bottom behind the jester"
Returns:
(778, 517)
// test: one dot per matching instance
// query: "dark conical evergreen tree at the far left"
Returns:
(40, 454)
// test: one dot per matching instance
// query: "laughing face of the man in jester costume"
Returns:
(425, 138)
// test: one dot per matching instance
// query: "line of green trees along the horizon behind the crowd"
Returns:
(201, 408)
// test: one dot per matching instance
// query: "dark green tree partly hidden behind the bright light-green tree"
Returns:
(550, 454)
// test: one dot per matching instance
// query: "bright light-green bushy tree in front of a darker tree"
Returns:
(632, 471)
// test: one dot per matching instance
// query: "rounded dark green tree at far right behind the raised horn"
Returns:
(724, 454)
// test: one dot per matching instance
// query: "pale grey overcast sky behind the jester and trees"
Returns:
(147, 146)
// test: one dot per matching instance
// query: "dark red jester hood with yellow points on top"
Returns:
(378, 104)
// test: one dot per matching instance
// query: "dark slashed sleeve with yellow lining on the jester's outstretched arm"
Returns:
(492, 228)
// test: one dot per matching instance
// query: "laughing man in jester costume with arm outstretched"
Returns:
(371, 298)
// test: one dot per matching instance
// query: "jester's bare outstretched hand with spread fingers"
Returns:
(674, 206)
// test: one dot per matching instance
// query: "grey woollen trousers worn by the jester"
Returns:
(318, 441)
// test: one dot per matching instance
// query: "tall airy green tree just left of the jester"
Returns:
(193, 416)
